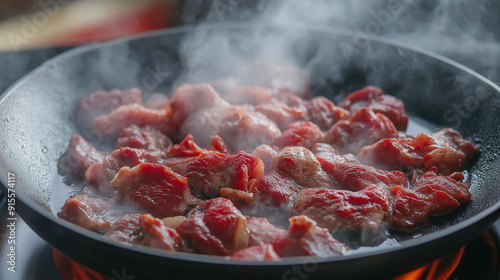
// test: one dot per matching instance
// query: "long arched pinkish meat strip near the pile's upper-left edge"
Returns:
(110, 125)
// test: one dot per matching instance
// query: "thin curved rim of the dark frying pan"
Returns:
(427, 238)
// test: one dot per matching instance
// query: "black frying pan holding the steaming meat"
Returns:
(37, 119)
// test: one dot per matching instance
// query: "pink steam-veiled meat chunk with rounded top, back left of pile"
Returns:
(188, 99)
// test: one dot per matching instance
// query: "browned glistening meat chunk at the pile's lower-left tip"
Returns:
(88, 212)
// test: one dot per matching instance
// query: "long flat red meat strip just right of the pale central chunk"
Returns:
(354, 177)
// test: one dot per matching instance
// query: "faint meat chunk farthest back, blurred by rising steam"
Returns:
(277, 78)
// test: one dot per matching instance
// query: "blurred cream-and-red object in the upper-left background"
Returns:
(55, 23)
